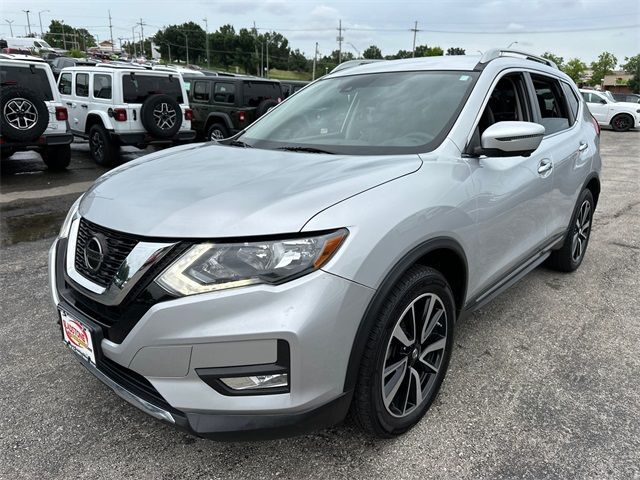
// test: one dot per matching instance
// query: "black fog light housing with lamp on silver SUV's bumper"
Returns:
(261, 379)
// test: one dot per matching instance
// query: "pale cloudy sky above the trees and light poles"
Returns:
(569, 28)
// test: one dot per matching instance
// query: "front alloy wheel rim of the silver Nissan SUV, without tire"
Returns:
(414, 355)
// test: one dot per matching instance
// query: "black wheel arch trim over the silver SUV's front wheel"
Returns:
(443, 254)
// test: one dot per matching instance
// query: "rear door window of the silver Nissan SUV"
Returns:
(554, 111)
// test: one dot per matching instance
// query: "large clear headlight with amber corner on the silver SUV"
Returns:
(215, 266)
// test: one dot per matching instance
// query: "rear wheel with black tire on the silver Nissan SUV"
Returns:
(565, 259)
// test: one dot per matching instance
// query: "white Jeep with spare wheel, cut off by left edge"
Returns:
(32, 116)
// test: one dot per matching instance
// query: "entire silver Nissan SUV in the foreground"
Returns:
(318, 261)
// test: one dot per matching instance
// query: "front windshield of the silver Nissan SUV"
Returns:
(382, 113)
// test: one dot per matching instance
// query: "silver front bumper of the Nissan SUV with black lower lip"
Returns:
(317, 315)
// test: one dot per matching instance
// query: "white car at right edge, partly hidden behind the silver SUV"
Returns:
(621, 116)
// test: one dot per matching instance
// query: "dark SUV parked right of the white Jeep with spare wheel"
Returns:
(222, 106)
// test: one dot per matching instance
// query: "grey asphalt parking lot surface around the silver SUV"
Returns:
(544, 382)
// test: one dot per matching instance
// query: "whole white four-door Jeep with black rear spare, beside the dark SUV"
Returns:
(113, 106)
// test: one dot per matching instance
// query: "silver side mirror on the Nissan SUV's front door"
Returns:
(511, 139)
